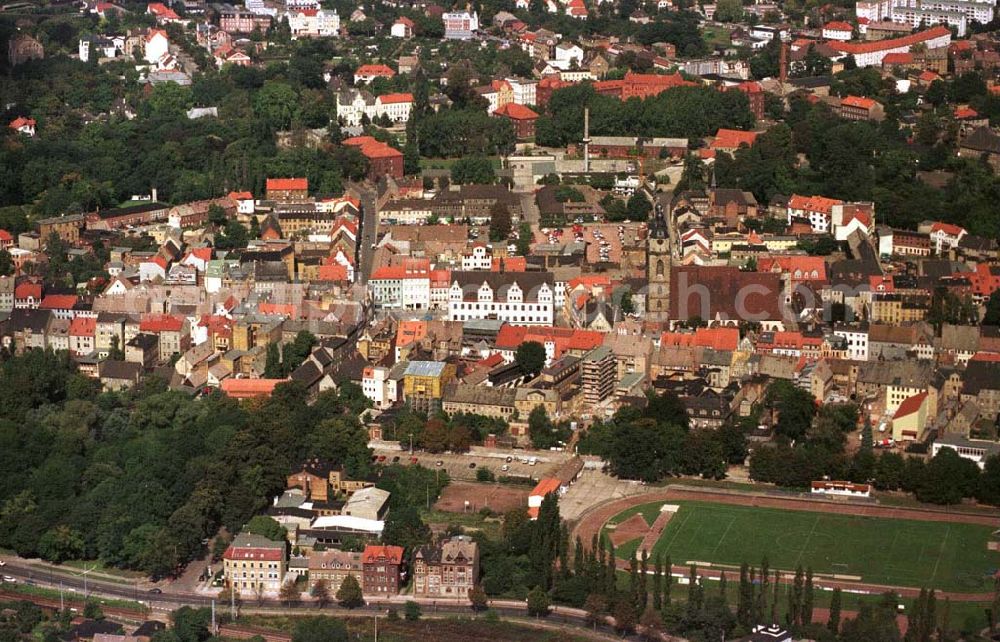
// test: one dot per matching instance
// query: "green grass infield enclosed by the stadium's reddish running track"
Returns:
(895, 552)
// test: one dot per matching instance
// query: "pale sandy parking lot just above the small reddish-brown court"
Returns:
(513, 463)
